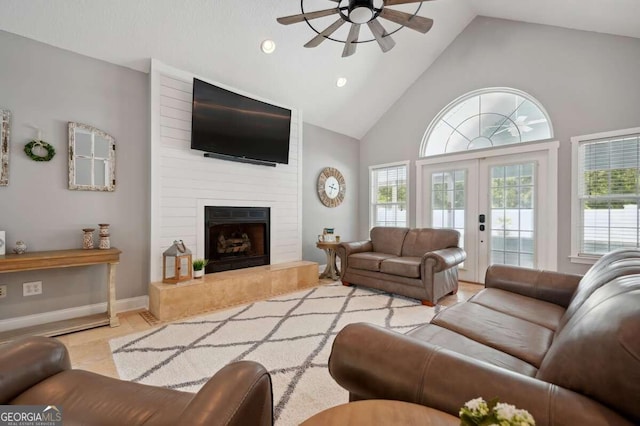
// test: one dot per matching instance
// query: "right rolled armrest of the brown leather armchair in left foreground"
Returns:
(238, 394)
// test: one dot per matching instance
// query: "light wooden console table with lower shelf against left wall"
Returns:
(63, 259)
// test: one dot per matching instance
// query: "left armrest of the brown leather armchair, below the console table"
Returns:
(26, 362)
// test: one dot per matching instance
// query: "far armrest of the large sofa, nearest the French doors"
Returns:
(554, 287)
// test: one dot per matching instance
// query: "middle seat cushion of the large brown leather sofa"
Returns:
(515, 336)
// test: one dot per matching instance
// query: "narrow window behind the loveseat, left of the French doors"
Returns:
(389, 195)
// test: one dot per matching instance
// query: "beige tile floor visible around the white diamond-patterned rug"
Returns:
(89, 349)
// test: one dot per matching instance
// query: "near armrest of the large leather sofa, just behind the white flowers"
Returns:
(376, 363)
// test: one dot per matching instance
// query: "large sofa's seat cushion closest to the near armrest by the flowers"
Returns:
(457, 342)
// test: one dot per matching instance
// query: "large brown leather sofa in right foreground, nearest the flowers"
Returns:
(564, 347)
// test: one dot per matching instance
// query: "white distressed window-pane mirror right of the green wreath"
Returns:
(92, 159)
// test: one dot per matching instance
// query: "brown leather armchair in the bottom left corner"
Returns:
(37, 371)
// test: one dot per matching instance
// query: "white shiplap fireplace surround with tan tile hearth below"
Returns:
(184, 182)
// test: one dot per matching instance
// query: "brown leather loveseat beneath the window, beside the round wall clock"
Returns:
(417, 263)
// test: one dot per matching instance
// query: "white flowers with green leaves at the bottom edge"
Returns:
(478, 412)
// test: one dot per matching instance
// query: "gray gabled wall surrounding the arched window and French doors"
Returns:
(588, 82)
